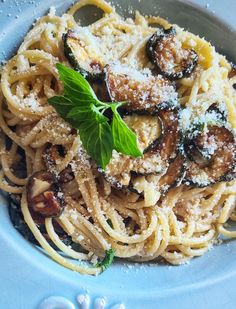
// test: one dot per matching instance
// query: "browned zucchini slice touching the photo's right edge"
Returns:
(219, 142)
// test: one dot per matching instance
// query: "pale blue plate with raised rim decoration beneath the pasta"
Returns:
(29, 279)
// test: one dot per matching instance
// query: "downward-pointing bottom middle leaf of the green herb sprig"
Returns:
(97, 140)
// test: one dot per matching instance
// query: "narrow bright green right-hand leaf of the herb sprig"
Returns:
(125, 140)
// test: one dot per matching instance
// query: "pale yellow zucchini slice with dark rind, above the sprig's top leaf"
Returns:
(83, 54)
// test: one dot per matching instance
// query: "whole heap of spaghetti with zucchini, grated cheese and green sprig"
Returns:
(118, 140)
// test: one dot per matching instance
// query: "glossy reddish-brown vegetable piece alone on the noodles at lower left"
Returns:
(44, 195)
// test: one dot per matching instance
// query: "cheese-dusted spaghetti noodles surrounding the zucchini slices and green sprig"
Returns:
(184, 222)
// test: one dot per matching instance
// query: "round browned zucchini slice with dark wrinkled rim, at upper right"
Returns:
(171, 60)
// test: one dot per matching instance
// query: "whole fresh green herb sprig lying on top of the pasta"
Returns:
(80, 107)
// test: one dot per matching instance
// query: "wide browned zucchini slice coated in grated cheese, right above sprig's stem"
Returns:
(141, 91)
